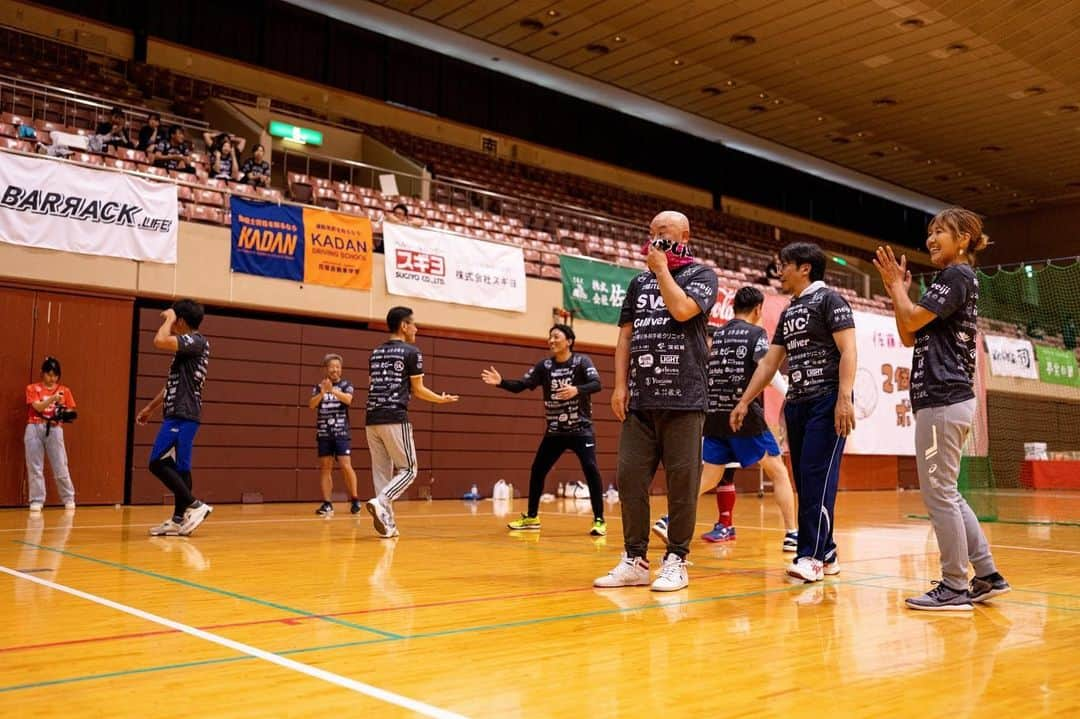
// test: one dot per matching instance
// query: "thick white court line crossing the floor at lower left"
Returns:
(316, 673)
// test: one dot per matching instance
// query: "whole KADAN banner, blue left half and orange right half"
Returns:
(309, 246)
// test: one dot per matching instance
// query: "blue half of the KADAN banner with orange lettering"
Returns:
(267, 239)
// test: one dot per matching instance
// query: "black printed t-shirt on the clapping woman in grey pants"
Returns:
(943, 371)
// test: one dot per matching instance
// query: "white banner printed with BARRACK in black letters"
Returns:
(60, 206)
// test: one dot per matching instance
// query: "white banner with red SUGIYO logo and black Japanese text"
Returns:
(452, 268)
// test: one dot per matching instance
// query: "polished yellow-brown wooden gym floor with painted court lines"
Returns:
(461, 618)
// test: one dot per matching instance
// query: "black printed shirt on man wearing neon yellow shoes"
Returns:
(564, 417)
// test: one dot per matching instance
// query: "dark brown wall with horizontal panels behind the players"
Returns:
(259, 436)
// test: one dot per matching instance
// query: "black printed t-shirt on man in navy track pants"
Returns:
(806, 331)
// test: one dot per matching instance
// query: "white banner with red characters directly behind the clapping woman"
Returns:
(885, 424)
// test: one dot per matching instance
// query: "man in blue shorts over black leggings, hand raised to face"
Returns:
(182, 399)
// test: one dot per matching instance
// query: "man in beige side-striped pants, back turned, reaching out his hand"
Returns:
(397, 373)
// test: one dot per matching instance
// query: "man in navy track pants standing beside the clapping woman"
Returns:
(817, 334)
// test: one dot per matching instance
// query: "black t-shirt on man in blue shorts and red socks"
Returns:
(737, 349)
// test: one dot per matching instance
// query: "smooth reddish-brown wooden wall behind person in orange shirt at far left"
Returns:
(91, 336)
